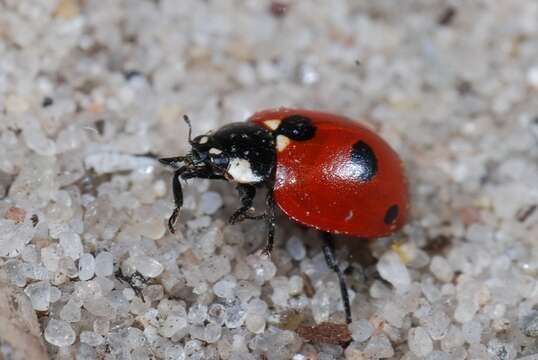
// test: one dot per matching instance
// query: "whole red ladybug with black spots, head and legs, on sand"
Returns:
(322, 170)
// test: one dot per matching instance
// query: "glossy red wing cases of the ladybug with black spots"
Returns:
(345, 179)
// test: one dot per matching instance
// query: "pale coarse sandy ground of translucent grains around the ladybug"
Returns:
(86, 86)
